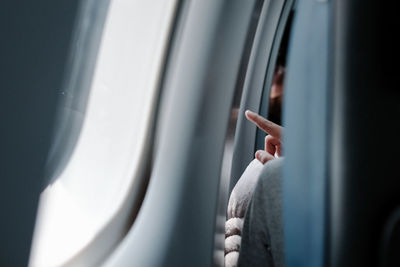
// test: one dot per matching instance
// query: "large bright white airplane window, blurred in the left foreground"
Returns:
(94, 181)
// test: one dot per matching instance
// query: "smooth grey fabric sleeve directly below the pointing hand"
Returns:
(262, 234)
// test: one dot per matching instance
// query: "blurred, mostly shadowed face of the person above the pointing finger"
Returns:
(275, 100)
